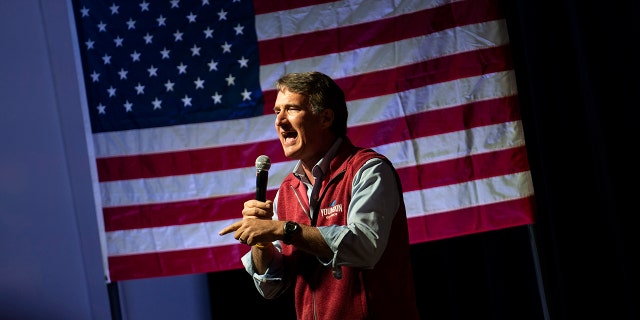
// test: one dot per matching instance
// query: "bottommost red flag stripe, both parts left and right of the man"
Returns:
(421, 229)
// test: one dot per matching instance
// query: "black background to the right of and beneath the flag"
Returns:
(576, 64)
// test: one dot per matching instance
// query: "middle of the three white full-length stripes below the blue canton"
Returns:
(231, 182)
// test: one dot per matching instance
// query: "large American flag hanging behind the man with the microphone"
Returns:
(180, 98)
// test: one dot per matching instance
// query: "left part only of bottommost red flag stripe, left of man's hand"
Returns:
(173, 263)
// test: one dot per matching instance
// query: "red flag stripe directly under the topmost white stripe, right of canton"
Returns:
(377, 32)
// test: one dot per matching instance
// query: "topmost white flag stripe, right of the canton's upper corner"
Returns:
(333, 15)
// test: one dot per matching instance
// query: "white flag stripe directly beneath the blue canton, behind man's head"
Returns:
(364, 111)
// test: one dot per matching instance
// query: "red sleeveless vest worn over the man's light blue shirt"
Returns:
(384, 292)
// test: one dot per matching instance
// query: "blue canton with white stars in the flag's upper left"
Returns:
(159, 63)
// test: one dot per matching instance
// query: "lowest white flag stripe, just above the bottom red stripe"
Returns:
(418, 203)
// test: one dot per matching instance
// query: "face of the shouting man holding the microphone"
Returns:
(300, 132)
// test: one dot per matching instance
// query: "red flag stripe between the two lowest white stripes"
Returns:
(413, 178)
